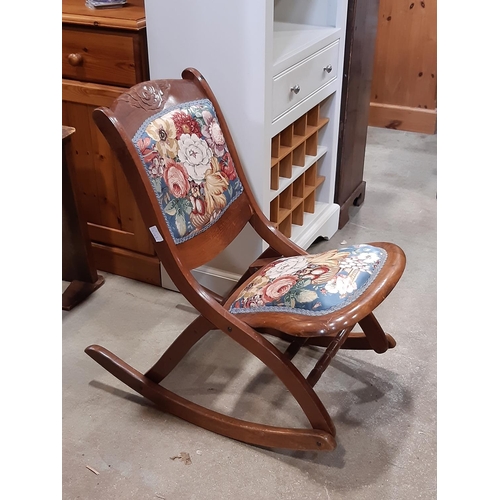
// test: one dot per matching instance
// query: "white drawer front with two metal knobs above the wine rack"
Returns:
(308, 74)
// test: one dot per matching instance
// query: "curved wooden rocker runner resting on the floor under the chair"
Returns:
(241, 430)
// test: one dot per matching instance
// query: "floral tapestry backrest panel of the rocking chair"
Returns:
(186, 158)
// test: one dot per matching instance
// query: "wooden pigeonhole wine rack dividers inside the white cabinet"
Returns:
(294, 158)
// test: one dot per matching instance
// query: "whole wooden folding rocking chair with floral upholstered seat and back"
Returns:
(177, 153)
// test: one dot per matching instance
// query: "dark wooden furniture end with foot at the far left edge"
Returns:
(77, 262)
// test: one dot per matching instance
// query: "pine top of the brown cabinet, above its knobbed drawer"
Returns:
(130, 16)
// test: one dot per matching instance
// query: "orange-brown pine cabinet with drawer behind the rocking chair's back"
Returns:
(104, 52)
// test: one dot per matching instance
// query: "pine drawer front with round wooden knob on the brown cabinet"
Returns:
(101, 57)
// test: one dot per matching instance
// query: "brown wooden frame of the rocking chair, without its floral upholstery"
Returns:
(333, 331)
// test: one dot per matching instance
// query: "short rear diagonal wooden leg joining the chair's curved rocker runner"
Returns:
(179, 348)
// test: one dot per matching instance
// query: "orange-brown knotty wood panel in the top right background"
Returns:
(403, 92)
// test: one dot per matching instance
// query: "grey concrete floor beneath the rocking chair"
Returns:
(383, 406)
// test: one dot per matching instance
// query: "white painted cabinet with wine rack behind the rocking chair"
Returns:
(275, 67)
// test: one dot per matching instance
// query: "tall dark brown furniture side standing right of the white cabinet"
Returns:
(361, 30)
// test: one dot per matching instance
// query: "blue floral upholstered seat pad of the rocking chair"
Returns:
(314, 284)
